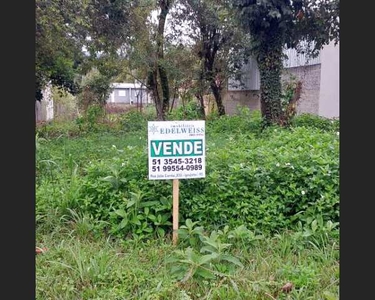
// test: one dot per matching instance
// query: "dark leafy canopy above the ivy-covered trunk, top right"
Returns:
(316, 22)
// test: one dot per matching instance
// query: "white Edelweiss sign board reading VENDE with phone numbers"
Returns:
(176, 150)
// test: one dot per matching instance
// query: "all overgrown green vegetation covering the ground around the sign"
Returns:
(268, 207)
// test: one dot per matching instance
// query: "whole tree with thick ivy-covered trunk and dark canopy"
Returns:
(273, 24)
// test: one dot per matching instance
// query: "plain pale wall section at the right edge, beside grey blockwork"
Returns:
(329, 95)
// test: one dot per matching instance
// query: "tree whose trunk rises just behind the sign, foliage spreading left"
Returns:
(123, 28)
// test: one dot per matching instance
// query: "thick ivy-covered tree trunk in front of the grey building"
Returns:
(270, 67)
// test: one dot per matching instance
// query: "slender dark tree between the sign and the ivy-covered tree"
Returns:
(219, 44)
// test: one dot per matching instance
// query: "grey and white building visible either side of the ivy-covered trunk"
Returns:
(319, 77)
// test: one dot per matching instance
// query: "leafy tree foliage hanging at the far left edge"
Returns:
(58, 44)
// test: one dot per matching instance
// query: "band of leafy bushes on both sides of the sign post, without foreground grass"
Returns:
(268, 182)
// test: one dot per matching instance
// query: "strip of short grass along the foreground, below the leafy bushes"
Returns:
(79, 266)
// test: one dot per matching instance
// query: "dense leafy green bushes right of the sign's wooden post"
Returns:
(268, 182)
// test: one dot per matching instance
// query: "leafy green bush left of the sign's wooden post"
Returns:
(110, 194)
